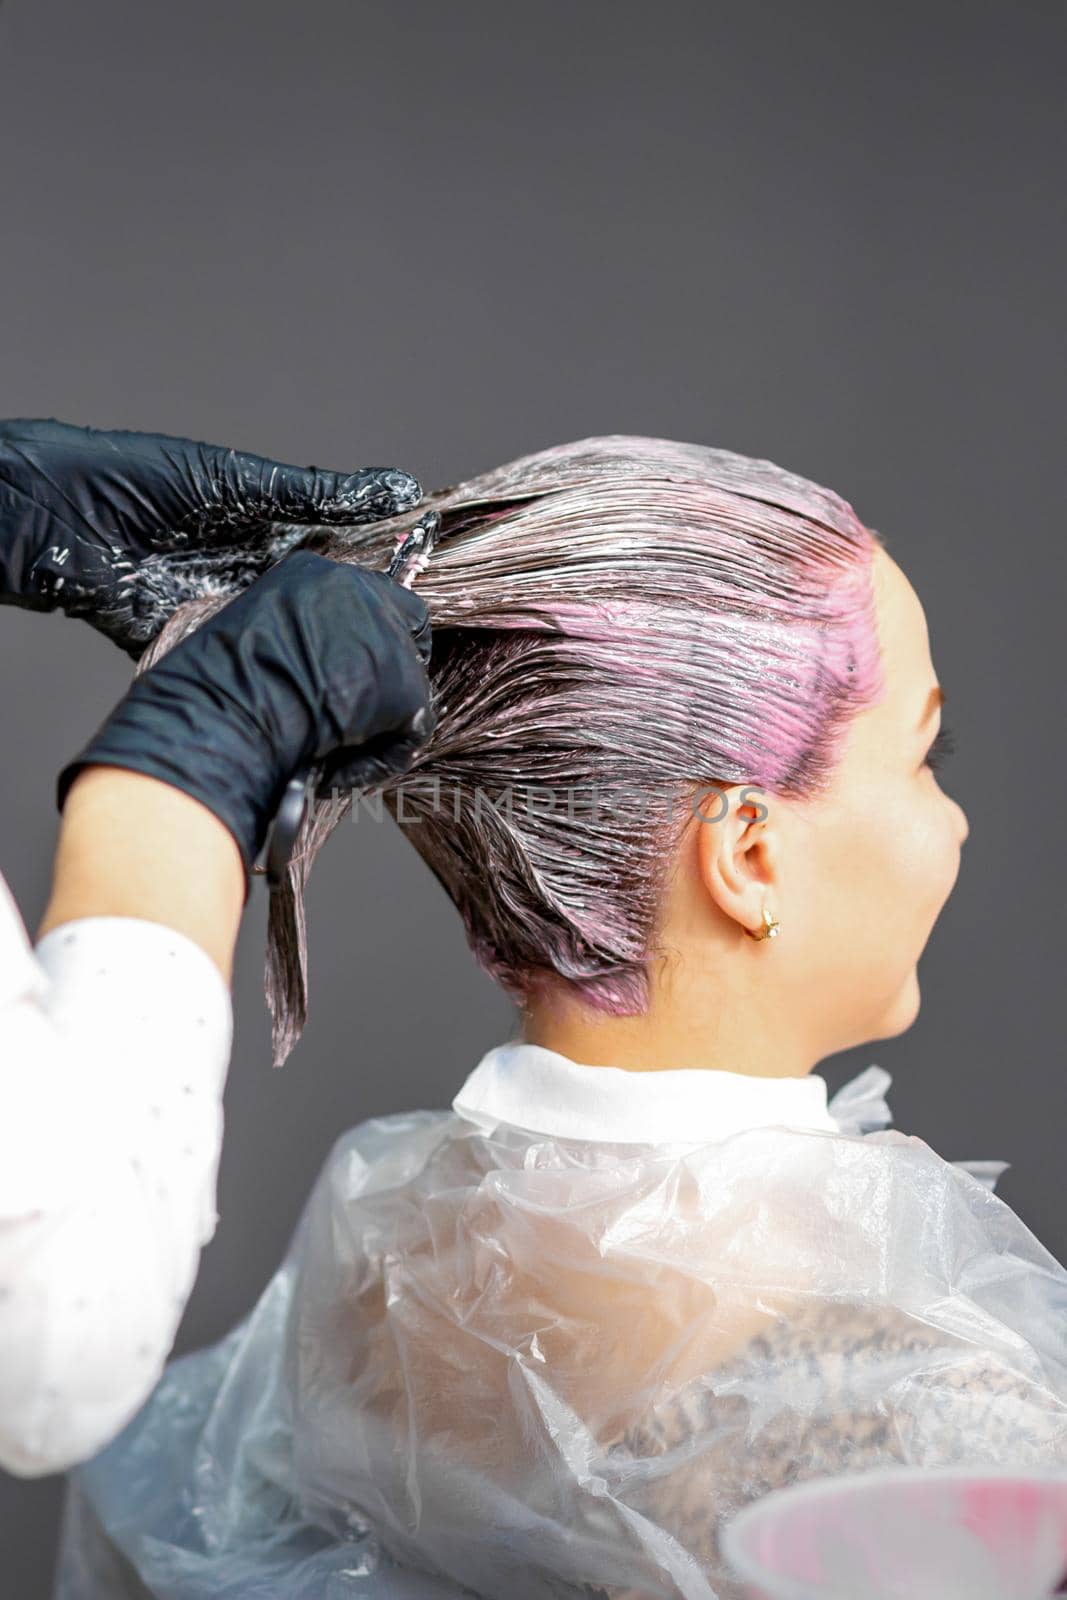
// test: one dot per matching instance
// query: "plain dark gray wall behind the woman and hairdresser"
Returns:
(442, 236)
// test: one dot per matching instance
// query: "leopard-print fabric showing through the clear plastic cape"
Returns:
(847, 1390)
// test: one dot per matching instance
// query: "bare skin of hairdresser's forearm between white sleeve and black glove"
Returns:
(134, 847)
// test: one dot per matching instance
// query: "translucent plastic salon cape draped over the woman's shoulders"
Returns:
(522, 1364)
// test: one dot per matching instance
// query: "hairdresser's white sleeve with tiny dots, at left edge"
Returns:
(114, 1047)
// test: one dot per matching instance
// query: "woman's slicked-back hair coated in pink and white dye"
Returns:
(618, 623)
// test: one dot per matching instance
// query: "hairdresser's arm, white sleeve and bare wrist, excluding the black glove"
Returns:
(114, 1039)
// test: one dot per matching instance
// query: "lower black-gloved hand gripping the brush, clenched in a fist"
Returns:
(314, 663)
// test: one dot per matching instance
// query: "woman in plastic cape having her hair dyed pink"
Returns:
(684, 793)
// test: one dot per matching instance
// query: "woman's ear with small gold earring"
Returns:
(738, 852)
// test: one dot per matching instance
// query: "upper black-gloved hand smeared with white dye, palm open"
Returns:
(122, 529)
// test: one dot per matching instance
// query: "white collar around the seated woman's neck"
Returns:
(538, 1090)
